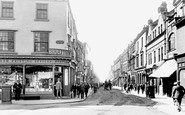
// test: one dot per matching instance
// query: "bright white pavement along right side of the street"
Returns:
(164, 103)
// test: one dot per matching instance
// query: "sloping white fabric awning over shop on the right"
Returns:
(166, 69)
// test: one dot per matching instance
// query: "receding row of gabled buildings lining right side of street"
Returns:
(156, 55)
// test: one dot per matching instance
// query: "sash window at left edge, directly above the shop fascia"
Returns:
(7, 41)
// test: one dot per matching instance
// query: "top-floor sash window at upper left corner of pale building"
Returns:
(7, 9)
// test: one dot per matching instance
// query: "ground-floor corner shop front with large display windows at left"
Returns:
(37, 75)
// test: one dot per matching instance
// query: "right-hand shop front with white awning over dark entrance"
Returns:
(164, 77)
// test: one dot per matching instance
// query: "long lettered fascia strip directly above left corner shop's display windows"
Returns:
(33, 61)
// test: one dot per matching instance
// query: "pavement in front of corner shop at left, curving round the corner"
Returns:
(47, 101)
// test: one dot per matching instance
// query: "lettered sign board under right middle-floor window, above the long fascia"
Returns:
(60, 52)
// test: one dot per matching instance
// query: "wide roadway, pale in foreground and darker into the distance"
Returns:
(103, 102)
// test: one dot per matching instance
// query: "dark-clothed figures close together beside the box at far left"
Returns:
(17, 88)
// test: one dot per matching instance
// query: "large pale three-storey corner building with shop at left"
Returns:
(36, 45)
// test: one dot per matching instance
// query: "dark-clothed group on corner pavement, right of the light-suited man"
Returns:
(79, 90)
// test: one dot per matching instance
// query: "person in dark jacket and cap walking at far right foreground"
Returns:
(178, 94)
